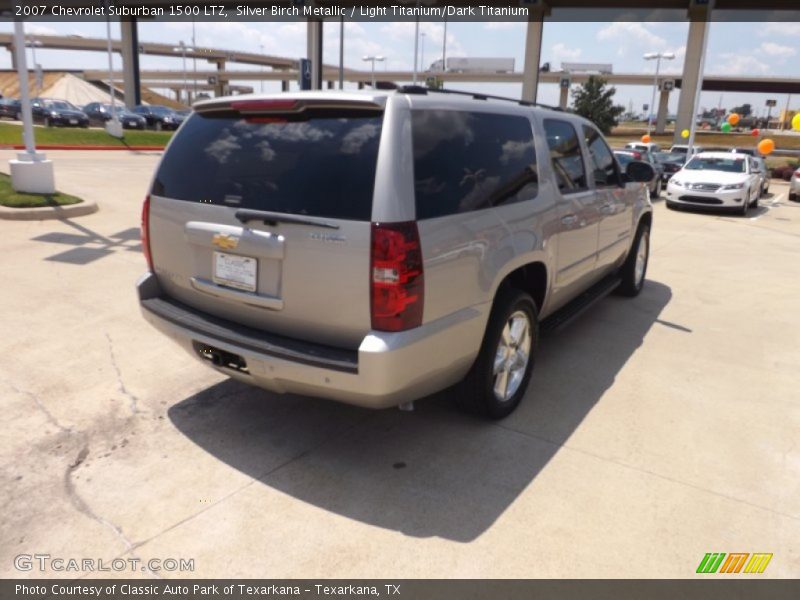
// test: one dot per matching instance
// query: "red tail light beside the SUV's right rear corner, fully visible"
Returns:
(397, 279)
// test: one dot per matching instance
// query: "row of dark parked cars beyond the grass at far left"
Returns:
(53, 112)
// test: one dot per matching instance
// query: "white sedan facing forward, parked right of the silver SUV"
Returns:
(723, 180)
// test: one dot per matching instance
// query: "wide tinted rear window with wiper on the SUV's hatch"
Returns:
(318, 166)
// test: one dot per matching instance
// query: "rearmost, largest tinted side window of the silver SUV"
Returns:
(466, 161)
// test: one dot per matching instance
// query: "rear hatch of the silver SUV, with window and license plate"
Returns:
(260, 214)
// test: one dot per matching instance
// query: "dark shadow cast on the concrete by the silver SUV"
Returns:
(434, 471)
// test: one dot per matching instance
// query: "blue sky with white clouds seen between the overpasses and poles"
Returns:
(734, 48)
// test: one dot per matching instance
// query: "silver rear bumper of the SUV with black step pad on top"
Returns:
(386, 370)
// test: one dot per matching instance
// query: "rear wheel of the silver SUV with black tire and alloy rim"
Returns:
(497, 380)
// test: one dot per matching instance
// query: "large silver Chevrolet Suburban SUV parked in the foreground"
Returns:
(377, 247)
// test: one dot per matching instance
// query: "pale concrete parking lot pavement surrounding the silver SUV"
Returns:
(654, 430)
